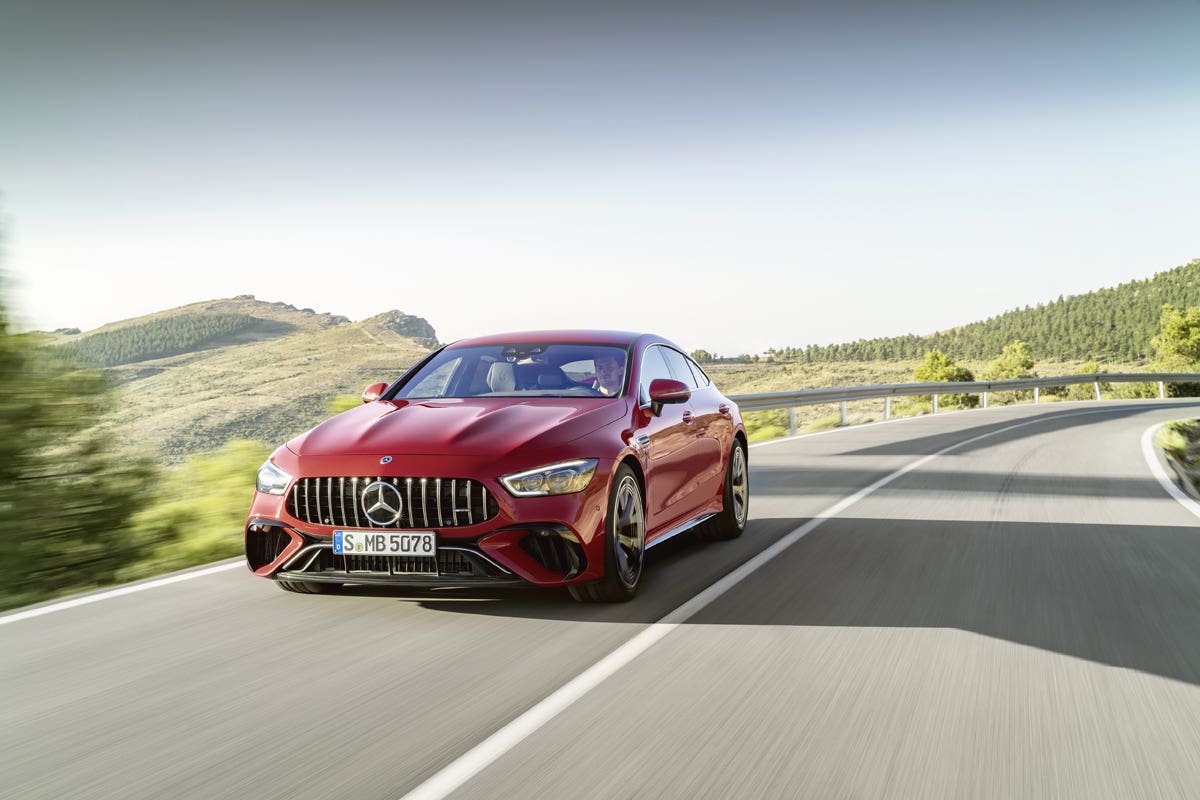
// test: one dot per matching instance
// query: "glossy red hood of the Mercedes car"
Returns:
(467, 428)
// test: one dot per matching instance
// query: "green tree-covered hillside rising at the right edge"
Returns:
(1107, 326)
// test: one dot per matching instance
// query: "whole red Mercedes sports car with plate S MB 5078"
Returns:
(550, 458)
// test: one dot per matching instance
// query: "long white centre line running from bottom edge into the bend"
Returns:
(475, 761)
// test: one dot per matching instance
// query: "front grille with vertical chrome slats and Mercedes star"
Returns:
(424, 502)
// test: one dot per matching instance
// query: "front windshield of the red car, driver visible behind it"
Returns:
(520, 370)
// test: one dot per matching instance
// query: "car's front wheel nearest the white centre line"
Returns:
(625, 544)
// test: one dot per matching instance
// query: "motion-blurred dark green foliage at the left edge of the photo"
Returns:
(67, 497)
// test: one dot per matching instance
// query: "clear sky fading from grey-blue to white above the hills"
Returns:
(731, 176)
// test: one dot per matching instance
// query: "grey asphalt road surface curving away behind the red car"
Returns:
(1018, 617)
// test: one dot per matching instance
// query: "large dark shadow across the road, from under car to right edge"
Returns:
(1126, 597)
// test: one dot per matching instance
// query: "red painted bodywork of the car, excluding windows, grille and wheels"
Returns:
(681, 456)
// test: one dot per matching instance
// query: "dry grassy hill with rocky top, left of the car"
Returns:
(251, 370)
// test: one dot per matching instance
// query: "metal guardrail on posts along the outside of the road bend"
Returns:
(764, 401)
